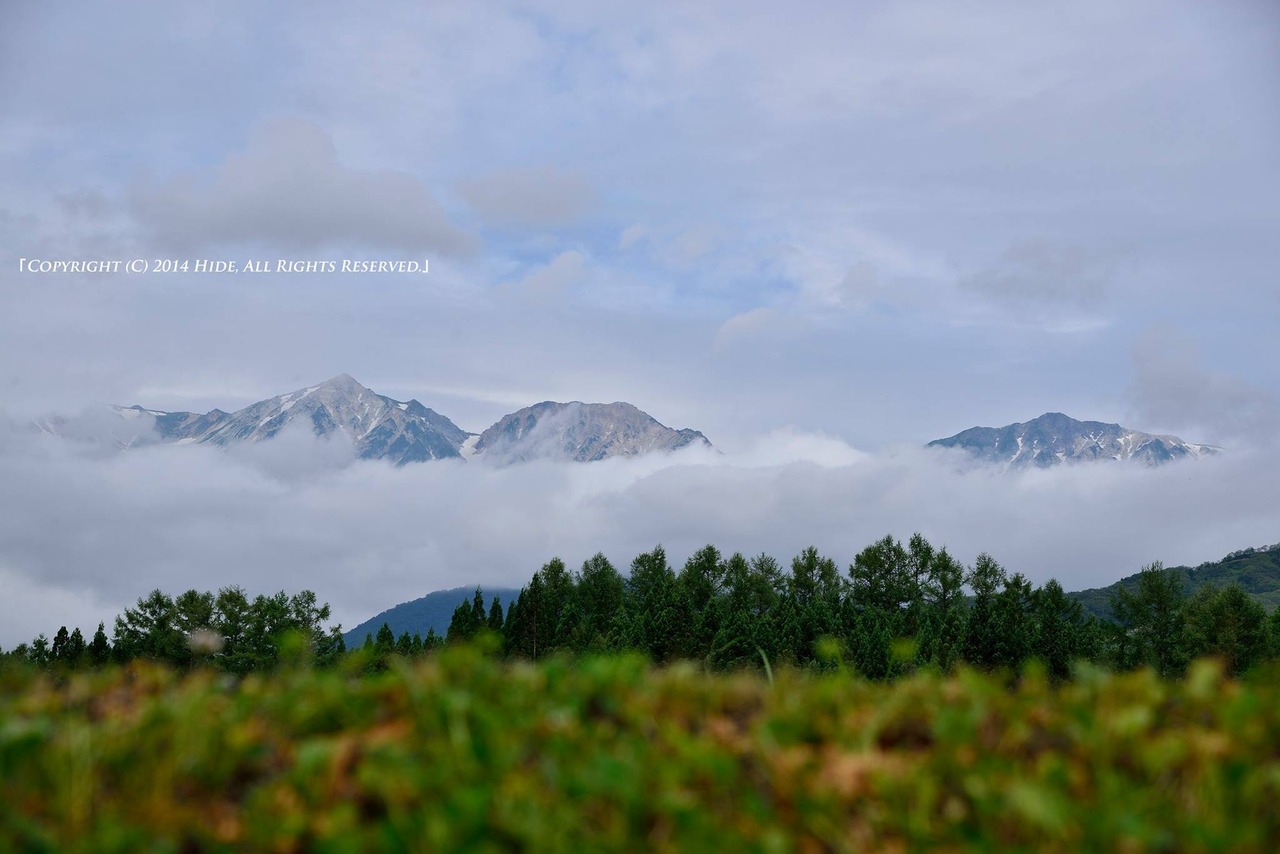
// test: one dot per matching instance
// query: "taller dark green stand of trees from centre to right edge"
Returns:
(898, 608)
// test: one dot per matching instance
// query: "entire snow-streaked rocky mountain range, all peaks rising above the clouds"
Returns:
(404, 432)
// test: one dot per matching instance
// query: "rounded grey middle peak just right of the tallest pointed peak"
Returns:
(580, 432)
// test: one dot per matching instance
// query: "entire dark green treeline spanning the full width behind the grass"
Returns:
(897, 609)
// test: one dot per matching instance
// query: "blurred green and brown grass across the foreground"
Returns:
(463, 752)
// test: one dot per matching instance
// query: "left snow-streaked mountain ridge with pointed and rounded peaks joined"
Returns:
(400, 432)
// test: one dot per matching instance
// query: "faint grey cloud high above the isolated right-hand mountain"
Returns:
(1041, 276)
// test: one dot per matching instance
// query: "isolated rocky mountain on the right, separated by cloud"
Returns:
(1054, 439)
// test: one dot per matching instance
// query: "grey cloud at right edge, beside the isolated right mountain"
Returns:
(1174, 391)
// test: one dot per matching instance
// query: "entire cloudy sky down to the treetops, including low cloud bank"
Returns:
(821, 234)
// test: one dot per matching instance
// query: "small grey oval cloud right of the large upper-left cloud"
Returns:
(533, 197)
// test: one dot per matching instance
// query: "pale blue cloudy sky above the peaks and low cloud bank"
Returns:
(875, 223)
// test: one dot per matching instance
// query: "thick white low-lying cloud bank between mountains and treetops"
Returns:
(84, 535)
